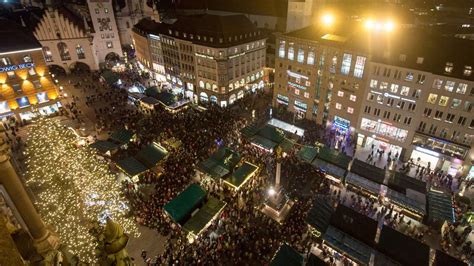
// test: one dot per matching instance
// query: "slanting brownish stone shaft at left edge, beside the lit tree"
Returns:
(44, 240)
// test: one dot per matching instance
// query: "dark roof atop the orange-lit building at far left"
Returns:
(15, 37)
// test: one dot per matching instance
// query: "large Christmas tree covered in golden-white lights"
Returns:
(75, 190)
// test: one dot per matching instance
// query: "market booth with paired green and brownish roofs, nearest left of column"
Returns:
(194, 210)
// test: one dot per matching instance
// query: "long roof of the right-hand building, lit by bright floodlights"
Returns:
(413, 48)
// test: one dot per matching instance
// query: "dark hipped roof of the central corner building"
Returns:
(208, 30)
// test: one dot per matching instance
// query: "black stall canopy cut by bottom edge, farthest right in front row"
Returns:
(403, 248)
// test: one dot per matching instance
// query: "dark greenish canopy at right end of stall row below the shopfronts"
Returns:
(440, 207)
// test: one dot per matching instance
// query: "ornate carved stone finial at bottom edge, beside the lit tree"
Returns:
(111, 247)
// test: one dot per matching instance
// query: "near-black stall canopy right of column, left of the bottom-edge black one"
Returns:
(355, 224)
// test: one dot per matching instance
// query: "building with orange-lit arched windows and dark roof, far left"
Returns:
(26, 86)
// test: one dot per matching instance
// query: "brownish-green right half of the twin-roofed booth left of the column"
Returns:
(204, 216)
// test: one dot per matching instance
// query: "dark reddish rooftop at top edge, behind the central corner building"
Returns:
(273, 8)
